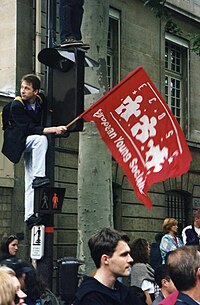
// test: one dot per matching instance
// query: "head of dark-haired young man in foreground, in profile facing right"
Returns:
(109, 249)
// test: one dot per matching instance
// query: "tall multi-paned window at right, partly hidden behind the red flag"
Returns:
(176, 70)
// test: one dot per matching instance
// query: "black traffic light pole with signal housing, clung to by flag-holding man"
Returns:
(65, 90)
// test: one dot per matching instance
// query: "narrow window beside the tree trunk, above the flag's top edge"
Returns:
(113, 47)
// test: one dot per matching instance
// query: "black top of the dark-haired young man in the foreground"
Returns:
(92, 292)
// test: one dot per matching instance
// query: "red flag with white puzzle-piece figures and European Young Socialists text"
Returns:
(141, 132)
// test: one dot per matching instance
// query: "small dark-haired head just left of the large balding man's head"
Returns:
(163, 280)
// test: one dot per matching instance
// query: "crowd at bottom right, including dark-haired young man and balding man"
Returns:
(177, 275)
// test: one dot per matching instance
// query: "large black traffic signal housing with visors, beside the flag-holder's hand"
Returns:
(68, 84)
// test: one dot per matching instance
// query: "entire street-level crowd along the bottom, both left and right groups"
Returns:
(175, 272)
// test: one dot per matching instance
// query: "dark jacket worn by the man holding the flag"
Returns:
(24, 122)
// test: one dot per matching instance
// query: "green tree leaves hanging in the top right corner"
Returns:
(158, 6)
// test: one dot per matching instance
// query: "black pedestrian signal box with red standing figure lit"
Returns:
(49, 200)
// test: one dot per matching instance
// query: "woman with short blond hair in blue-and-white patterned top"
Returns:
(169, 241)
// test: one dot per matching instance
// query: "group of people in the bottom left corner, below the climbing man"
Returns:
(20, 282)
